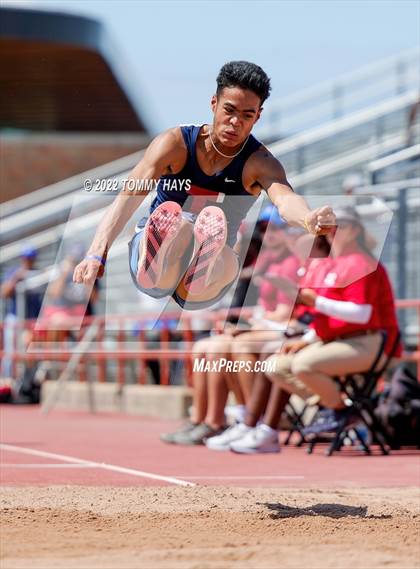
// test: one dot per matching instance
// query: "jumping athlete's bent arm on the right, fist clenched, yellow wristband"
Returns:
(293, 208)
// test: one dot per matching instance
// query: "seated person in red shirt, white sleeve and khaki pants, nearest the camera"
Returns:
(349, 314)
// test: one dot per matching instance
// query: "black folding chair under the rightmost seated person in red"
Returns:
(359, 388)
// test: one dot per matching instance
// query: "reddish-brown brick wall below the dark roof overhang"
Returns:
(31, 162)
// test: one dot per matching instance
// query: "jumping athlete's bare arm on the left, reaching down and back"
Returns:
(158, 159)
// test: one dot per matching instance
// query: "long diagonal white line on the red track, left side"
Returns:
(102, 465)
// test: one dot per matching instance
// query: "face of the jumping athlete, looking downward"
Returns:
(235, 113)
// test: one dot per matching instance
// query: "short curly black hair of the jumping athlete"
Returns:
(245, 75)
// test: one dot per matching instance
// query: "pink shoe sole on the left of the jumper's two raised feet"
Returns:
(159, 233)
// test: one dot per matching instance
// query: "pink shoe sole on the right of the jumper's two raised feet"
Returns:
(210, 234)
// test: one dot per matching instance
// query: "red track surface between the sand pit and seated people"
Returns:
(133, 443)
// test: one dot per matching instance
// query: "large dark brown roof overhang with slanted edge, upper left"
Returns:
(61, 72)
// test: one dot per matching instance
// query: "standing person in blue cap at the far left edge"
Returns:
(32, 306)
